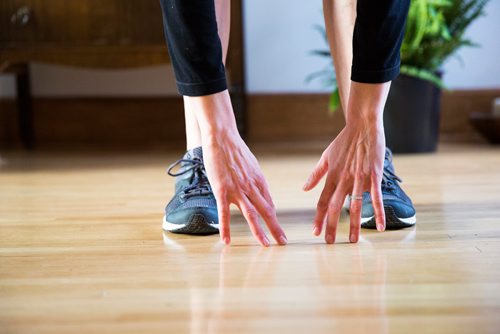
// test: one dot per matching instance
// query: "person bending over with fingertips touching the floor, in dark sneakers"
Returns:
(218, 168)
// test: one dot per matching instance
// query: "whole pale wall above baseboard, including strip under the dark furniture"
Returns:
(279, 35)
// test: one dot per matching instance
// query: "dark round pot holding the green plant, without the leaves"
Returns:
(411, 116)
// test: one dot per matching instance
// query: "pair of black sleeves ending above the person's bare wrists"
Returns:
(196, 51)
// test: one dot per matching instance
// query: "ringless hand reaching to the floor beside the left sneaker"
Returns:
(234, 173)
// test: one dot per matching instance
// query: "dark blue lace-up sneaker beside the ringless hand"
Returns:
(193, 209)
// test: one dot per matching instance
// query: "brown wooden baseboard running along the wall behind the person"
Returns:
(159, 122)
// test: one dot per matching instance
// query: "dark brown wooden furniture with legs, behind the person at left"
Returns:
(98, 34)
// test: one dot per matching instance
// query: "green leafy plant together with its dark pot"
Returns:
(434, 32)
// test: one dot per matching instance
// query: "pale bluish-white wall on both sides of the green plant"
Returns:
(279, 36)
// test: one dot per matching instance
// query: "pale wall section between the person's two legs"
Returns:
(279, 37)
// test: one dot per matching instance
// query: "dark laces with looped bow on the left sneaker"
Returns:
(199, 181)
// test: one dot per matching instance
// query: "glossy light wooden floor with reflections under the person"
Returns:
(82, 250)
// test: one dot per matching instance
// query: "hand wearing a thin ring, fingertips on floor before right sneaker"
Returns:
(353, 163)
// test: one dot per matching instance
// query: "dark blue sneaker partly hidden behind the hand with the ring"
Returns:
(399, 210)
